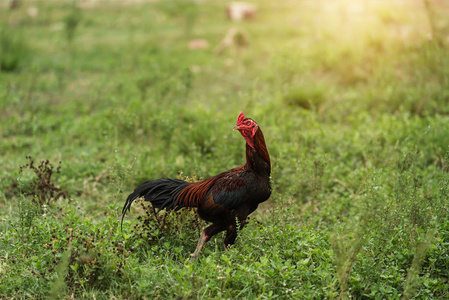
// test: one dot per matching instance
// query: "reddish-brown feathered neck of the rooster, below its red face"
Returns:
(257, 158)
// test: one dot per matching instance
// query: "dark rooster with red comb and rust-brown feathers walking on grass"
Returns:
(226, 199)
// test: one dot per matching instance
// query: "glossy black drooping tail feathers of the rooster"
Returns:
(162, 193)
